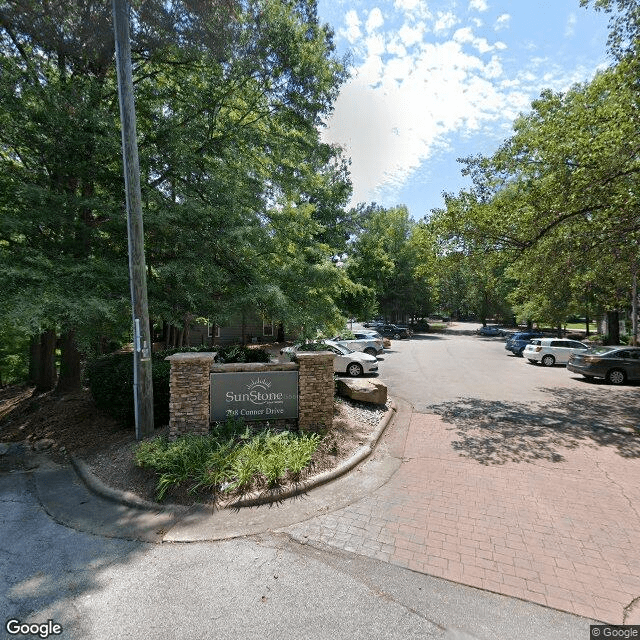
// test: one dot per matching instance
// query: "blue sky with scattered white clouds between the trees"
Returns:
(432, 81)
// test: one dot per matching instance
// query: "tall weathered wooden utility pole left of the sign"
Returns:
(142, 382)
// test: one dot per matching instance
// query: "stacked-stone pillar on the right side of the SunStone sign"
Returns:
(316, 388)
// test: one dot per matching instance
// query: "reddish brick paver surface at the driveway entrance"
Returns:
(564, 534)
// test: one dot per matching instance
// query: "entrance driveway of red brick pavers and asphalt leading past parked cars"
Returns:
(517, 479)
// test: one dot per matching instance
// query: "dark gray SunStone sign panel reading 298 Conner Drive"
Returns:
(267, 395)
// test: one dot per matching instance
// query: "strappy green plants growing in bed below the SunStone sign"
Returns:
(229, 458)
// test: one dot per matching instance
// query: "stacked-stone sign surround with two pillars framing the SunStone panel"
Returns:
(189, 410)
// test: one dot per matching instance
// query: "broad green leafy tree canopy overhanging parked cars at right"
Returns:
(562, 192)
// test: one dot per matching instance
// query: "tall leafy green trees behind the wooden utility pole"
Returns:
(229, 99)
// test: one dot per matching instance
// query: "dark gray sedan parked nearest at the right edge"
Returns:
(616, 365)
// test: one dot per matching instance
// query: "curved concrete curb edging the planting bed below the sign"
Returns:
(95, 485)
